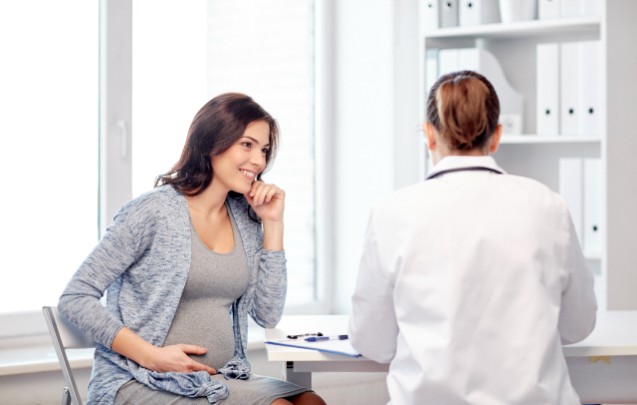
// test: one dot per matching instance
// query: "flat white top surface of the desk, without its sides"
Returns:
(615, 334)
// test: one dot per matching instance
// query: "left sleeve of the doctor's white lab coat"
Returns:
(373, 327)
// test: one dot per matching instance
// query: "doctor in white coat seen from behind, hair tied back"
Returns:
(471, 281)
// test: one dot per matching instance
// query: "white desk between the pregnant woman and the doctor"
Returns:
(603, 367)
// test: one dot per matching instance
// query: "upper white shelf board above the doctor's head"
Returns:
(520, 29)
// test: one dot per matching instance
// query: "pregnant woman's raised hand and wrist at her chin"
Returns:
(268, 201)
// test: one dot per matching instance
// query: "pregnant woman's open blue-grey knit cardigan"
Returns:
(143, 262)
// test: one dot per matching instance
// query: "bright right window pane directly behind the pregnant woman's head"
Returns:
(261, 48)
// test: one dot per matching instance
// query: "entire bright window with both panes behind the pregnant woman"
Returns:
(183, 54)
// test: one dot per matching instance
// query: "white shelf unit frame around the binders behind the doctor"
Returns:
(535, 156)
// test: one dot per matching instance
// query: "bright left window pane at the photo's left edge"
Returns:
(48, 146)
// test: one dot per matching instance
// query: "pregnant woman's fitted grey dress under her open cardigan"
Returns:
(215, 281)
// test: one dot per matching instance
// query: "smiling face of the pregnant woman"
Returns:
(236, 168)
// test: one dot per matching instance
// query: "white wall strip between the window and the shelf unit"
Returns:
(376, 117)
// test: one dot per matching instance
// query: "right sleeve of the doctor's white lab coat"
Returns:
(578, 308)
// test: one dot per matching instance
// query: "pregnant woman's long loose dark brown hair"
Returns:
(218, 125)
